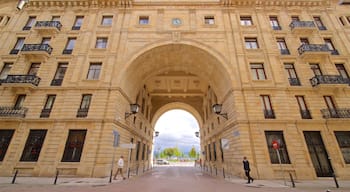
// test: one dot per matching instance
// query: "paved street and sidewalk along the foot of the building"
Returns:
(164, 179)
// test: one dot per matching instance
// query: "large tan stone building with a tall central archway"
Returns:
(72, 72)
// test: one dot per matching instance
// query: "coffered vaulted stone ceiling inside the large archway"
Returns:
(176, 73)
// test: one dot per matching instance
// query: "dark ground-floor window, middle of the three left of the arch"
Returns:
(33, 145)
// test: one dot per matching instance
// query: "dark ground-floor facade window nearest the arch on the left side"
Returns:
(74, 146)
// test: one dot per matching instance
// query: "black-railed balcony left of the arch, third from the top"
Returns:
(21, 81)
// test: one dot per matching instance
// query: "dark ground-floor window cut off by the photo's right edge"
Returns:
(343, 138)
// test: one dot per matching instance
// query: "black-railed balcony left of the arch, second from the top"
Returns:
(36, 50)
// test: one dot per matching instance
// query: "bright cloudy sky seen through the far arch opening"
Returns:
(176, 128)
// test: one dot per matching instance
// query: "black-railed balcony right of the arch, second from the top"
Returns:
(310, 51)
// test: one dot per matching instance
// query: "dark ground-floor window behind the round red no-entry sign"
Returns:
(272, 136)
